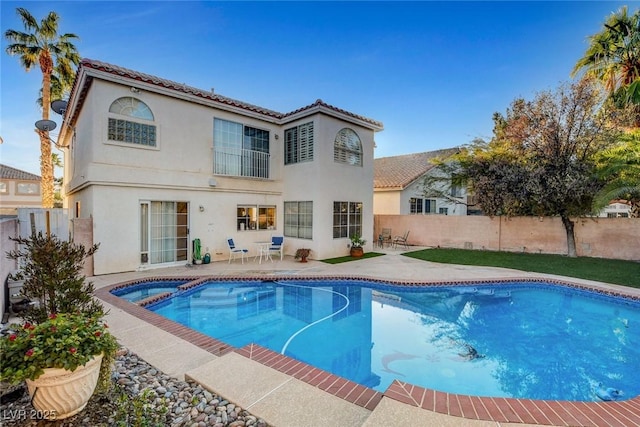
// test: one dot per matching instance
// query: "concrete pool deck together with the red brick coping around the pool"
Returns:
(288, 393)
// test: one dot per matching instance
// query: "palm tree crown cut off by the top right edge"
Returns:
(613, 58)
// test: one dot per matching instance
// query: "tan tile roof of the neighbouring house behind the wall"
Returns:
(397, 172)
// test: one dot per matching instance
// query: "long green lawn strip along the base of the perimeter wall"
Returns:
(614, 271)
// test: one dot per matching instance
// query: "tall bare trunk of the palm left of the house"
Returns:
(46, 162)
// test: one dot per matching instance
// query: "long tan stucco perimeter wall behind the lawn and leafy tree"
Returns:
(595, 237)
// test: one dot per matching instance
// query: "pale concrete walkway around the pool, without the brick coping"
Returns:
(280, 399)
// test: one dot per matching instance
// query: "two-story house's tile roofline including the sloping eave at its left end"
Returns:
(81, 87)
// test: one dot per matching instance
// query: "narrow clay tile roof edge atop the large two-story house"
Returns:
(181, 87)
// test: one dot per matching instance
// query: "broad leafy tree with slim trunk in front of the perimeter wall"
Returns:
(540, 160)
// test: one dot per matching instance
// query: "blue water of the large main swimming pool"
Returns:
(522, 340)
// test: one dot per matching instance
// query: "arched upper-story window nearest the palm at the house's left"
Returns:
(135, 129)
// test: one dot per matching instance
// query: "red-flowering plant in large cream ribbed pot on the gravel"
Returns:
(61, 360)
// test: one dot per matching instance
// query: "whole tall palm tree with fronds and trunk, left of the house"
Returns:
(56, 55)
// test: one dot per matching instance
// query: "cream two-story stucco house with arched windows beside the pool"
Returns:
(156, 164)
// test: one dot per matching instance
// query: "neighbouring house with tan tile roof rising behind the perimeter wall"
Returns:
(399, 186)
